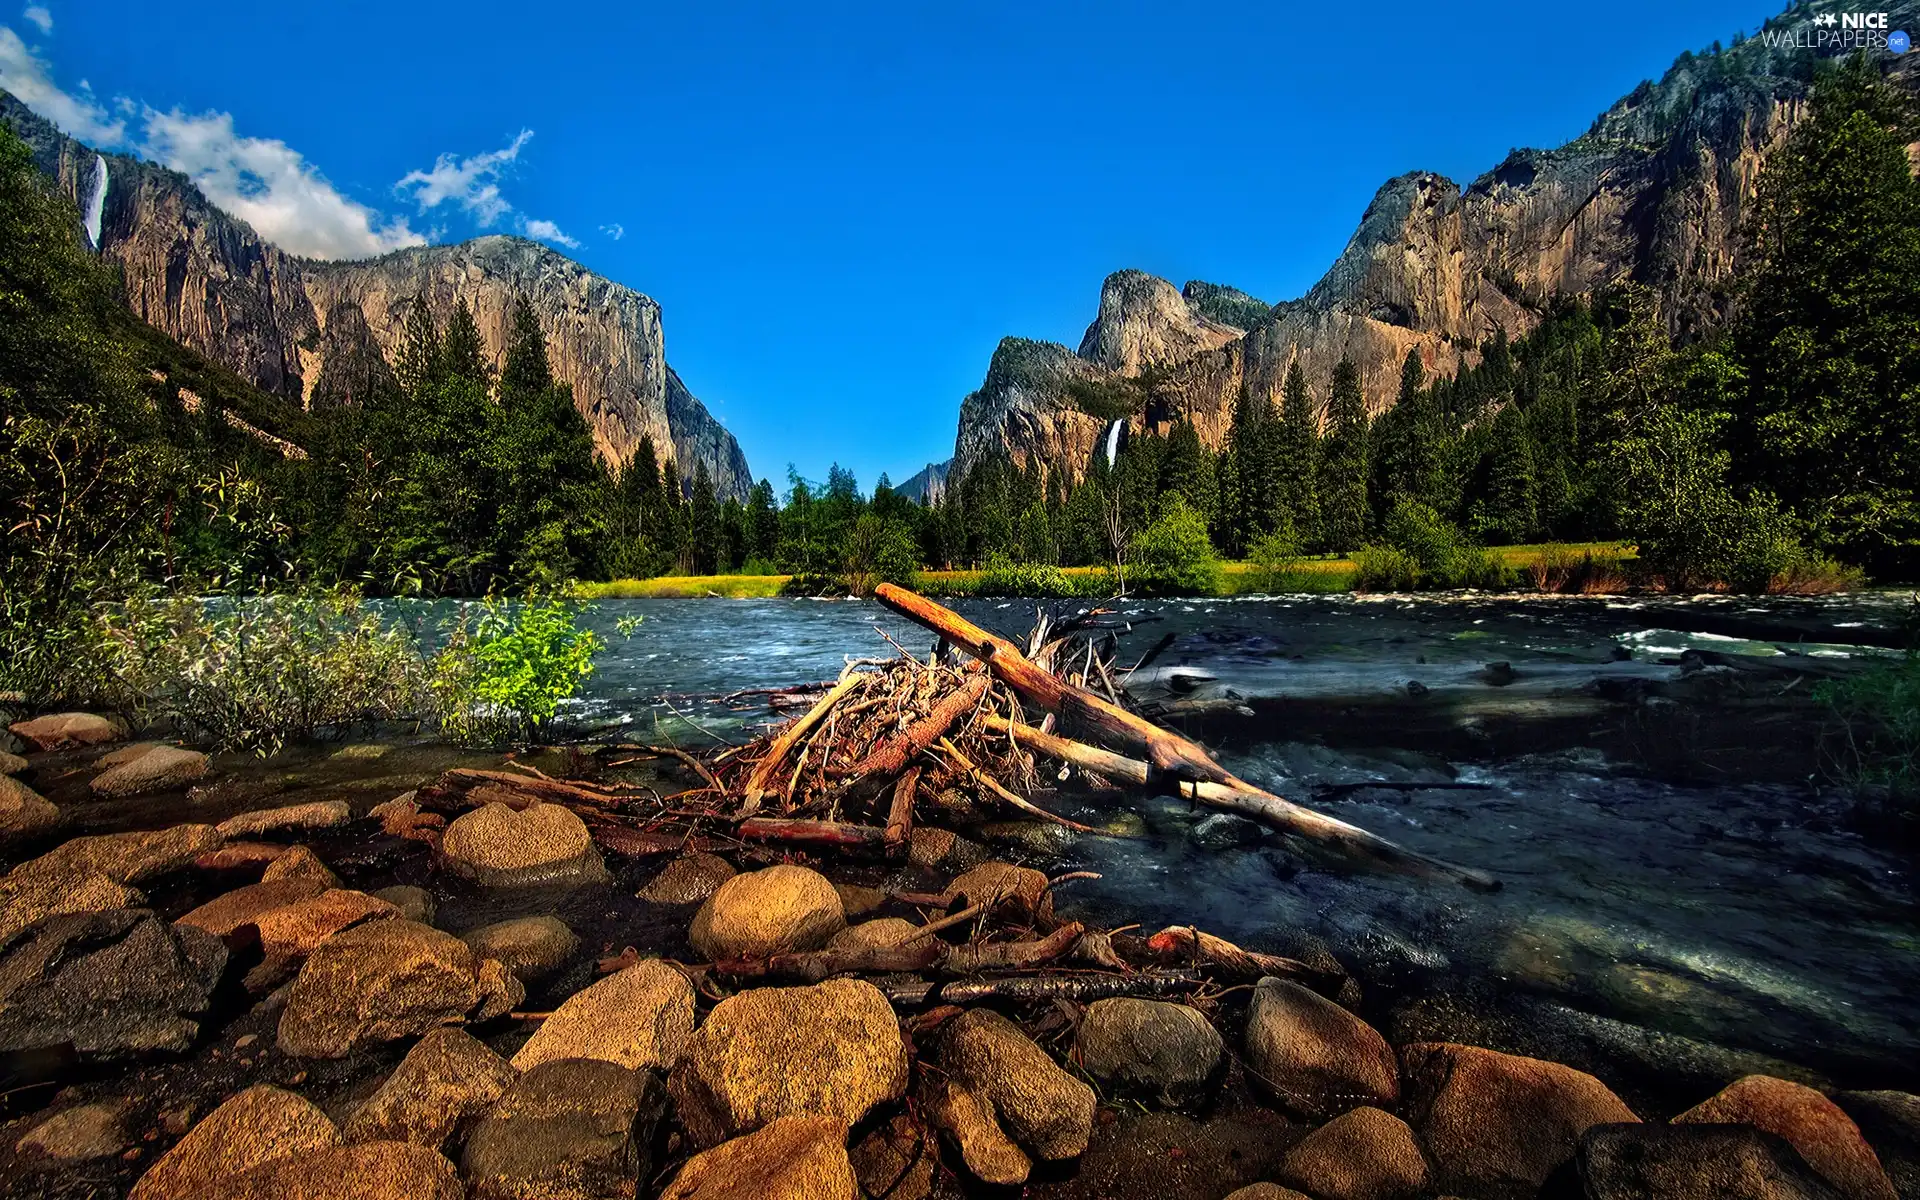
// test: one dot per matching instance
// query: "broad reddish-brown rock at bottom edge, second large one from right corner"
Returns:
(1499, 1124)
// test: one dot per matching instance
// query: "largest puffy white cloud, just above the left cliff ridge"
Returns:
(272, 187)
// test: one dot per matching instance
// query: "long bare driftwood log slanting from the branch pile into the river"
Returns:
(1168, 756)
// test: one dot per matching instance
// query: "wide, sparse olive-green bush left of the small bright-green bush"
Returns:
(258, 673)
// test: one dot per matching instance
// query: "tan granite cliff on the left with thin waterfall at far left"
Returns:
(320, 331)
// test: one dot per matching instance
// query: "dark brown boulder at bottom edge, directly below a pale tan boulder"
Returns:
(569, 1130)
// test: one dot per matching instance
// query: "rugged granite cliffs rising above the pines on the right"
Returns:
(1656, 193)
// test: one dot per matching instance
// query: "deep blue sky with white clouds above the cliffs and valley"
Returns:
(842, 208)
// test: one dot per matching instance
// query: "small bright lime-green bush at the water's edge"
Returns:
(506, 675)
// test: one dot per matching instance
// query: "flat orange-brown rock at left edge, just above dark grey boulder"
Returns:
(93, 875)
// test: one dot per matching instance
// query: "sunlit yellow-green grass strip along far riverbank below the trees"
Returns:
(1303, 577)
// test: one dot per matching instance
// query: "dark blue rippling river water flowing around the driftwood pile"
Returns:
(1652, 907)
